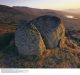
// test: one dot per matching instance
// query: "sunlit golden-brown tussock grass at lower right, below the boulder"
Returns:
(67, 57)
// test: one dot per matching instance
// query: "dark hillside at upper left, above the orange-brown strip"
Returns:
(9, 15)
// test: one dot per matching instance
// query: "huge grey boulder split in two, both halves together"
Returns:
(45, 32)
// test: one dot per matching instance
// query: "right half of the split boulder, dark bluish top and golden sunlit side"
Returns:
(52, 30)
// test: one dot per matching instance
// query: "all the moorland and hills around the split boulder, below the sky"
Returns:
(69, 56)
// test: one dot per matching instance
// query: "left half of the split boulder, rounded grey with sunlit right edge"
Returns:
(28, 40)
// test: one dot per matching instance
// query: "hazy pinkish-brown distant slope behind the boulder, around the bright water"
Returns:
(33, 13)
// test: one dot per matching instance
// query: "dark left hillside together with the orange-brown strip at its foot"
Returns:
(9, 17)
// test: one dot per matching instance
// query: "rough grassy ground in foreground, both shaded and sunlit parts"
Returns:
(67, 57)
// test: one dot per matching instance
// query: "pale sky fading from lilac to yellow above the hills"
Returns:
(44, 4)
